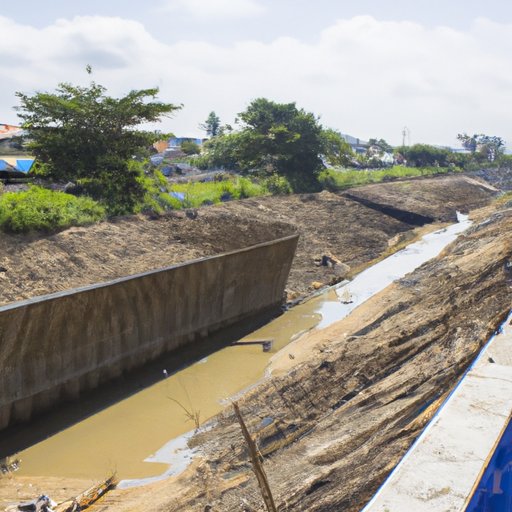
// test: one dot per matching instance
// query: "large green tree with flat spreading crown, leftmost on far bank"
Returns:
(83, 135)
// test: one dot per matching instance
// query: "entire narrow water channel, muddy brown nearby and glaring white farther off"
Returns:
(126, 435)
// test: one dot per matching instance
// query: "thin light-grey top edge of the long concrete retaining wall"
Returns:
(103, 284)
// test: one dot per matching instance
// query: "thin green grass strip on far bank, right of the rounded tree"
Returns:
(341, 179)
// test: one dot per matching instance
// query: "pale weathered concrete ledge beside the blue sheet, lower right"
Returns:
(443, 467)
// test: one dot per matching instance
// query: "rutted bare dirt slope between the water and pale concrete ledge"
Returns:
(345, 403)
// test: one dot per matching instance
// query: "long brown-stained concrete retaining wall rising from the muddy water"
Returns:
(55, 346)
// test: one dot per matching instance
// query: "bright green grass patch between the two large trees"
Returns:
(212, 192)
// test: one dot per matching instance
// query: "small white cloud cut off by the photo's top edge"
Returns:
(215, 9)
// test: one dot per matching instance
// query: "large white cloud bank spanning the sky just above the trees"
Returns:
(363, 76)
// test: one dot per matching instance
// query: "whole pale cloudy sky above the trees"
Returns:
(369, 68)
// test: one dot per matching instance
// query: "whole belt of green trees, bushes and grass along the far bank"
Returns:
(82, 135)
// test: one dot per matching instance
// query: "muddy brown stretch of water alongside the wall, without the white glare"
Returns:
(121, 436)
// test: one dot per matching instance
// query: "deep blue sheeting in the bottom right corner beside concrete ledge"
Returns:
(494, 491)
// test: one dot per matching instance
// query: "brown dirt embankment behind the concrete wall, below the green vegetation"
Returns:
(356, 227)
